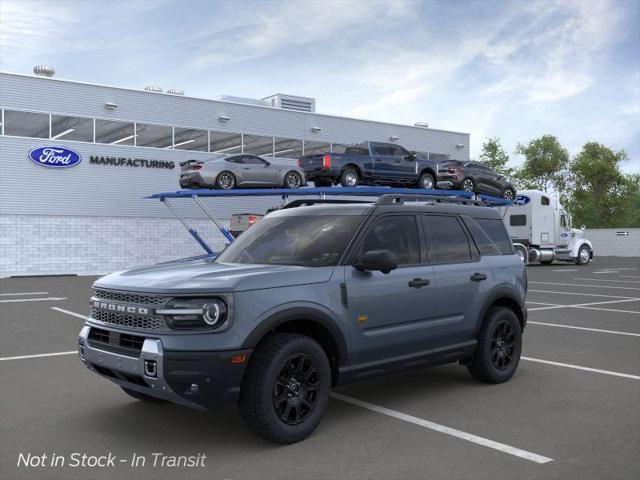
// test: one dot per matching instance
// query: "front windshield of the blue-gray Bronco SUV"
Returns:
(312, 241)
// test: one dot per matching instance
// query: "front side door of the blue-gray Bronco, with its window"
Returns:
(389, 314)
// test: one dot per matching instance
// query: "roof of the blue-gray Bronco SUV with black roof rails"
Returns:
(412, 207)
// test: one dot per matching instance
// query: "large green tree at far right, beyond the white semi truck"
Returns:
(598, 194)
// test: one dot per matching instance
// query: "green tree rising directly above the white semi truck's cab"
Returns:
(545, 164)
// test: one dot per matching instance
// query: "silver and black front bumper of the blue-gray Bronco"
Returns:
(199, 380)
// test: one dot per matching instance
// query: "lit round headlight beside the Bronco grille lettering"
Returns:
(195, 313)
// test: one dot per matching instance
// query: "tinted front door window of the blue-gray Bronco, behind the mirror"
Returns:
(397, 233)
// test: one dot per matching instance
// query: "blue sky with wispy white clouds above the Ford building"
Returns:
(511, 69)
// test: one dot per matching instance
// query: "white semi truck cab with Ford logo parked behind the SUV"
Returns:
(541, 230)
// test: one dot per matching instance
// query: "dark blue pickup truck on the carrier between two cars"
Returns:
(370, 163)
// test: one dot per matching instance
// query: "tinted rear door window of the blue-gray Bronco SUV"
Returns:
(448, 240)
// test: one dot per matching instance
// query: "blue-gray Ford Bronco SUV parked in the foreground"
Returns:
(312, 297)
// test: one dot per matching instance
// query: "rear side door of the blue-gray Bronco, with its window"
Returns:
(461, 277)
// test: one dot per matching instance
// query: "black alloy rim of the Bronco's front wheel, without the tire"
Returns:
(295, 393)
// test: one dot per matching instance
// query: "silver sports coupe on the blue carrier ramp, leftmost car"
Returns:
(231, 171)
